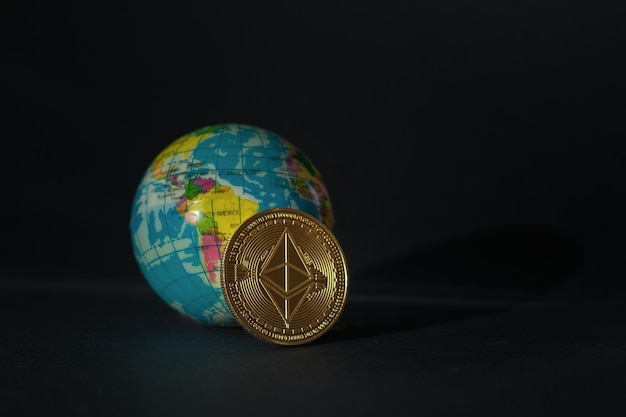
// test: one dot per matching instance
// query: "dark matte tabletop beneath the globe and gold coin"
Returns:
(101, 349)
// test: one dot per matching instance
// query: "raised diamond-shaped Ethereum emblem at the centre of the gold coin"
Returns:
(286, 277)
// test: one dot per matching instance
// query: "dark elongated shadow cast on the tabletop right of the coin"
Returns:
(474, 275)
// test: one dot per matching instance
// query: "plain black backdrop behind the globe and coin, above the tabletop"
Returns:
(465, 145)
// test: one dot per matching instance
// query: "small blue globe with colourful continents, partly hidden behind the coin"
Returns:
(195, 194)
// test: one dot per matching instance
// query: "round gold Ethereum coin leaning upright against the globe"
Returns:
(285, 277)
